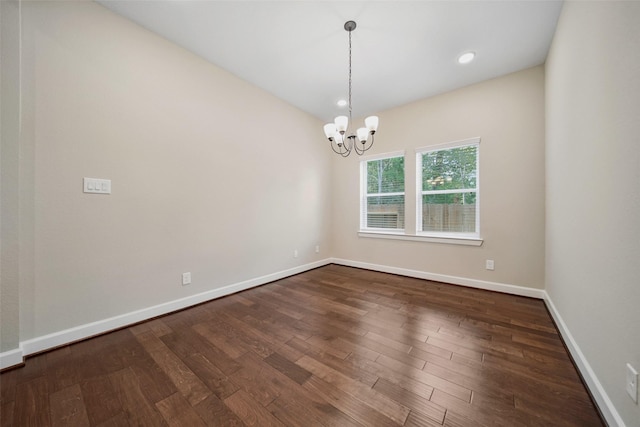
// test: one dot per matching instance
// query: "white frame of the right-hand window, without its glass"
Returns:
(420, 192)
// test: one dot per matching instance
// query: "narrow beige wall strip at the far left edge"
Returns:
(9, 174)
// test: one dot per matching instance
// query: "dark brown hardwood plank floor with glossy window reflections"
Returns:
(334, 346)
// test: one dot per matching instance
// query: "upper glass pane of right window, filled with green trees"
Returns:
(451, 169)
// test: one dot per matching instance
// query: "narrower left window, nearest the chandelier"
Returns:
(382, 193)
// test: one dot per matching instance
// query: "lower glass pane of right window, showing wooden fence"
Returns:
(449, 213)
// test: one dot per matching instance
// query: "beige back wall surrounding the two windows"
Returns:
(507, 113)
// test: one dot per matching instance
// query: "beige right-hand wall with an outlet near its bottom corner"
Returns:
(593, 199)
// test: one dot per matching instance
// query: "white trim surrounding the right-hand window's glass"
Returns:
(438, 237)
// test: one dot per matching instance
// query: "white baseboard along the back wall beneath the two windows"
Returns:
(472, 283)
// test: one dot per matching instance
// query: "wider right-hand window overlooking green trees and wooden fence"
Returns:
(447, 183)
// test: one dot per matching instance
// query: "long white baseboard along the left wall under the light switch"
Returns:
(56, 339)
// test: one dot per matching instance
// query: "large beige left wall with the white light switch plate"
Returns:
(202, 178)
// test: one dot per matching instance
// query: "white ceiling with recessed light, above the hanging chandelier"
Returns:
(402, 50)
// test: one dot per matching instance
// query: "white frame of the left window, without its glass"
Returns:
(364, 194)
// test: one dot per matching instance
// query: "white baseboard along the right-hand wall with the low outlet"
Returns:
(609, 412)
